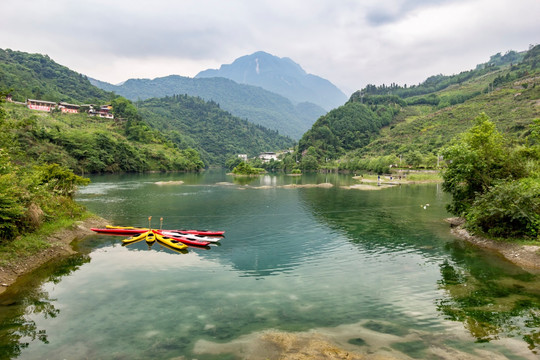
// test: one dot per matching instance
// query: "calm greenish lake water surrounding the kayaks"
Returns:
(372, 271)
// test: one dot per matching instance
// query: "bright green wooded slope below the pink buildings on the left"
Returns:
(87, 144)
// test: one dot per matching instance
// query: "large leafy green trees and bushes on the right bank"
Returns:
(494, 186)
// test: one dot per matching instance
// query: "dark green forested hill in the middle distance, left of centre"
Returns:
(192, 122)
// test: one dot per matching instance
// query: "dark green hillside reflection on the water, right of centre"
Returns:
(384, 221)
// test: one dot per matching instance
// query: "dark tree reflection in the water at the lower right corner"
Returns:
(490, 300)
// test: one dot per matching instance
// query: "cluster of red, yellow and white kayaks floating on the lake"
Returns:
(173, 239)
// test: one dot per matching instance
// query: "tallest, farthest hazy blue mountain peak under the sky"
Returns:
(282, 76)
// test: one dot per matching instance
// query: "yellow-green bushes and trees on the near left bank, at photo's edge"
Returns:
(30, 195)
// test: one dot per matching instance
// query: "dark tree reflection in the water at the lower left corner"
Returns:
(26, 298)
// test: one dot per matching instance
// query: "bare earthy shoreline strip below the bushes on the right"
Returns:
(525, 256)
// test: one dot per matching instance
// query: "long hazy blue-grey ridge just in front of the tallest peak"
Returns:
(253, 103)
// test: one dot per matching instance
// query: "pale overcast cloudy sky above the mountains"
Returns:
(352, 43)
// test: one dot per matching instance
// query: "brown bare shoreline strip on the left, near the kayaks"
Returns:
(60, 246)
